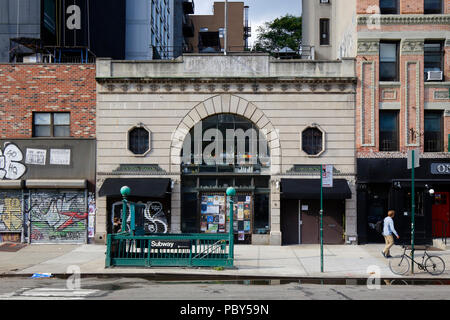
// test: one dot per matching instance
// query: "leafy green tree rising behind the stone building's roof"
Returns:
(280, 33)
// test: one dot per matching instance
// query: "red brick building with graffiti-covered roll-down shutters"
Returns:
(47, 160)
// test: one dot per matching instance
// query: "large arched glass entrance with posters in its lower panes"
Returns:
(221, 151)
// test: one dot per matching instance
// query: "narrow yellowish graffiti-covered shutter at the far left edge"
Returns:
(11, 218)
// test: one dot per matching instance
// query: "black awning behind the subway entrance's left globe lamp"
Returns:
(140, 187)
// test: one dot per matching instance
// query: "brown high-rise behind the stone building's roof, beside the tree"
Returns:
(209, 29)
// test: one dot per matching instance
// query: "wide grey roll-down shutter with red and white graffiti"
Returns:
(58, 216)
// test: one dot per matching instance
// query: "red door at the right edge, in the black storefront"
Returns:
(441, 214)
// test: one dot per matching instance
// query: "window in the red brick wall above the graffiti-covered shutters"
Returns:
(51, 124)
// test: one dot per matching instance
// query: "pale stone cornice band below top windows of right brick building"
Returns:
(404, 19)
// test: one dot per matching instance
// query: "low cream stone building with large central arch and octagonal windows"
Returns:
(172, 132)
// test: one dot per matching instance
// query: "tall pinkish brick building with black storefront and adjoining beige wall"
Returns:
(402, 104)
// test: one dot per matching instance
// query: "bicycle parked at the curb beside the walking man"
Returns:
(434, 265)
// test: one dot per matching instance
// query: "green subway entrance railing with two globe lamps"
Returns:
(132, 247)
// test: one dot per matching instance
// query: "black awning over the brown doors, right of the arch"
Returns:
(310, 189)
